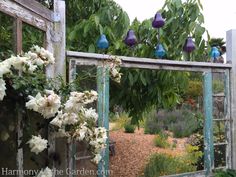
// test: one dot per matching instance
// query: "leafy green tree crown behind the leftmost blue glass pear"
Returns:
(86, 20)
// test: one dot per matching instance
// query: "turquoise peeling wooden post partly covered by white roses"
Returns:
(103, 115)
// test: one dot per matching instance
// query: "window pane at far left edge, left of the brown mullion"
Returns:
(6, 36)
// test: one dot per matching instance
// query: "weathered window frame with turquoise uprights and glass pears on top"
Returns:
(80, 58)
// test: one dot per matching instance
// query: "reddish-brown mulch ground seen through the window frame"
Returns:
(134, 150)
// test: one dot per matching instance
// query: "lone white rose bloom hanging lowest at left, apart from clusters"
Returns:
(37, 144)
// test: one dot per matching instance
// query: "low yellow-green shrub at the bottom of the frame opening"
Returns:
(163, 164)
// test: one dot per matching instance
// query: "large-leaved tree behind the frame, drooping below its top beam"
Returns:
(160, 88)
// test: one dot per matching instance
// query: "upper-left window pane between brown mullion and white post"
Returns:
(32, 36)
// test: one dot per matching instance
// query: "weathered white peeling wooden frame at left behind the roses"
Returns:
(52, 23)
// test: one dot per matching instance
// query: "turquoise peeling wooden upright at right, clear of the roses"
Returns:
(208, 124)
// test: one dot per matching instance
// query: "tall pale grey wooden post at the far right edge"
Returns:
(231, 58)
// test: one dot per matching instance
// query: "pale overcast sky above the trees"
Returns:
(220, 15)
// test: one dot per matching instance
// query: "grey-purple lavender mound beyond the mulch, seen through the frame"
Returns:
(181, 122)
